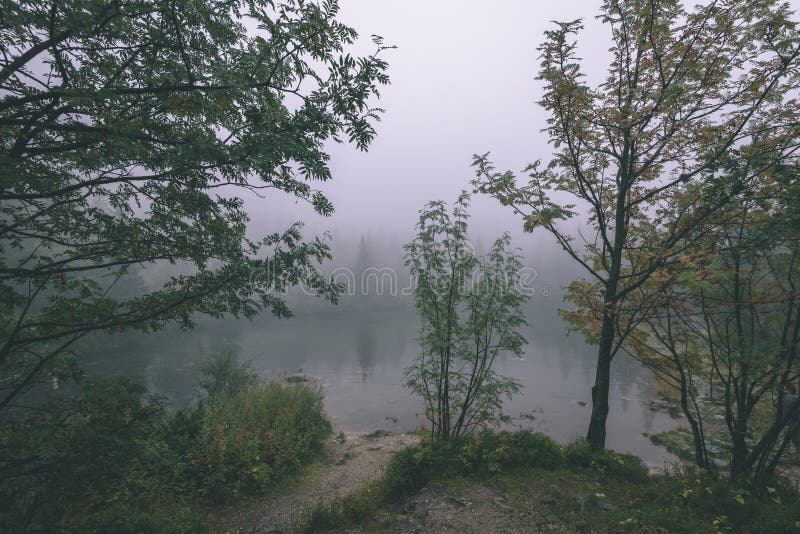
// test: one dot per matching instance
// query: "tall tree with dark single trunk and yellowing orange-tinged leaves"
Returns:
(686, 92)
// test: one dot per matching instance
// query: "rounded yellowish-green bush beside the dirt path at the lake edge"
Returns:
(244, 434)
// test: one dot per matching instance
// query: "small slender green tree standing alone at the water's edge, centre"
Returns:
(471, 309)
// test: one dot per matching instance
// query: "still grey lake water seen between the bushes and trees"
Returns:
(360, 351)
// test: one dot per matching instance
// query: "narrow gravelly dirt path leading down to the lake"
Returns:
(347, 466)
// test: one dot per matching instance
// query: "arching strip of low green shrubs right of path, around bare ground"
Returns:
(693, 501)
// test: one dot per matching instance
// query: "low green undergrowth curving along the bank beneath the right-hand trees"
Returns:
(616, 492)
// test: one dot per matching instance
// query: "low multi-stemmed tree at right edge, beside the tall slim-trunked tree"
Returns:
(724, 327)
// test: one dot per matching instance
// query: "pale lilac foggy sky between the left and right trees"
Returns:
(462, 83)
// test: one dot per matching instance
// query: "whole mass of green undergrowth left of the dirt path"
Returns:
(117, 459)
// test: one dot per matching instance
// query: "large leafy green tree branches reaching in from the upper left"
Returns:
(131, 133)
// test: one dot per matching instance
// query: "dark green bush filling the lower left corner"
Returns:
(92, 459)
